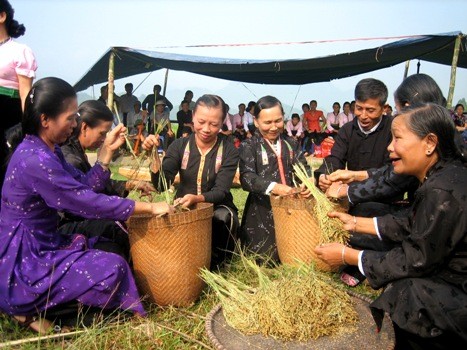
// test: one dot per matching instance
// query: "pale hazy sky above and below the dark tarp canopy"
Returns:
(69, 36)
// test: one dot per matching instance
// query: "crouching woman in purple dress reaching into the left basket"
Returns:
(41, 269)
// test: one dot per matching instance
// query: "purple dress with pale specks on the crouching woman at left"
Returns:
(40, 268)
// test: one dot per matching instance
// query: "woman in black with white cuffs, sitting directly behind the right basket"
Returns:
(266, 161)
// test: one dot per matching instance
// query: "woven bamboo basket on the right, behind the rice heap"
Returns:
(297, 230)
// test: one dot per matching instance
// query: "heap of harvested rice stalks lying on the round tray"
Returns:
(287, 303)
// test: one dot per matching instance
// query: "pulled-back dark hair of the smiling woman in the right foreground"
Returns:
(424, 119)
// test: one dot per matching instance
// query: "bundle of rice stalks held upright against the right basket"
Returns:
(331, 228)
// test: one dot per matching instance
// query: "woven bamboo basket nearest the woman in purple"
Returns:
(169, 251)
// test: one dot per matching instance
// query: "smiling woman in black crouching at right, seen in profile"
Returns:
(424, 275)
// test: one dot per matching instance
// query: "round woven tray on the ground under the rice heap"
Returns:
(224, 337)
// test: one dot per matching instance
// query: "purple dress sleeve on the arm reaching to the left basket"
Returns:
(61, 191)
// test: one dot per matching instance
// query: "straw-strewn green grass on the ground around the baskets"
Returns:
(165, 328)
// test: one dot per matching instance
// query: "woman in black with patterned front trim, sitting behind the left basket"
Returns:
(207, 162)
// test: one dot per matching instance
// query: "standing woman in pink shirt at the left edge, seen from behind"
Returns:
(17, 70)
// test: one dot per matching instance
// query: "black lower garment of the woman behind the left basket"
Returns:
(224, 235)
